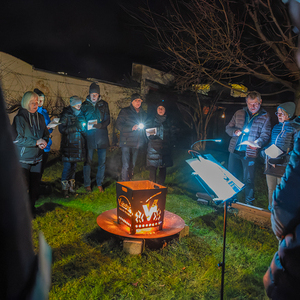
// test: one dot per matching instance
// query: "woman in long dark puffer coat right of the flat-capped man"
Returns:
(159, 150)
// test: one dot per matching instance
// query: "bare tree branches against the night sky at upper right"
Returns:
(223, 40)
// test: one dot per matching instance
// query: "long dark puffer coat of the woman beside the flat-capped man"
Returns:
(159, 151)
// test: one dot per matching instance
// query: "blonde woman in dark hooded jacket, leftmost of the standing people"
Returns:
(31, 139)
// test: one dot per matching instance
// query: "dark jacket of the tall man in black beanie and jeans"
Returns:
(97, 138)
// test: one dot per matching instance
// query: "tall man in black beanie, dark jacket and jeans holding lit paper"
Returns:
(97, 116)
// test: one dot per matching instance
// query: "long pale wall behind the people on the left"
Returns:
(17, 77)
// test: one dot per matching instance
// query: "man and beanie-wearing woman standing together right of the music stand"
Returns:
(251, 136)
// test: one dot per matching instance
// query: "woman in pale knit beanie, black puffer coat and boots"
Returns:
(73, 143)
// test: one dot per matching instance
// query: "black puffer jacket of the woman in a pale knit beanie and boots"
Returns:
(73, 144)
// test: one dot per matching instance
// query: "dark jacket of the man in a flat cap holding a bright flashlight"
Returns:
(127, 118)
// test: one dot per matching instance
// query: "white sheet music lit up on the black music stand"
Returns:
(218, 179)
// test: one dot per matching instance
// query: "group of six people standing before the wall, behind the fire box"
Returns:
(83, 128)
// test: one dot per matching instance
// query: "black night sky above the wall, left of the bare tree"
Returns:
(84, 38)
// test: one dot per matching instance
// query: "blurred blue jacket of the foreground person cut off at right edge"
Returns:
(282, 278)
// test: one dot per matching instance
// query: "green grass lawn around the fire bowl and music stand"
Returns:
(90, 264)
